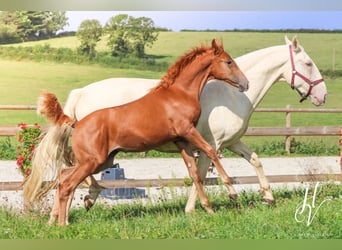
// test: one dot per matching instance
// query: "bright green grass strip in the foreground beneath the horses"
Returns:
(247, 218)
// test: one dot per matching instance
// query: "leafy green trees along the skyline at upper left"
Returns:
(126, 35)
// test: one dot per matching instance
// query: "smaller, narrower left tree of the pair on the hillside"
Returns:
(89, 32)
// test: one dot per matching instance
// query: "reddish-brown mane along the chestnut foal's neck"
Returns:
(174, 70)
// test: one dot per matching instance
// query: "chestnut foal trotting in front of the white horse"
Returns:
(168, 113)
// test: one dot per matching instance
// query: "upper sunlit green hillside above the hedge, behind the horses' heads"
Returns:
(320, 46)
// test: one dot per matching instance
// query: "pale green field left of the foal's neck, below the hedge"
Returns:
(34, 77)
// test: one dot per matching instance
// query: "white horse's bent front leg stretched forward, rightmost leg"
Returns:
(241, 149)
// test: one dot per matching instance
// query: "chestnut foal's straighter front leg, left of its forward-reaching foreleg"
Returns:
(191, 165)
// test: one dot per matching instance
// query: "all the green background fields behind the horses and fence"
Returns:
(21, 81)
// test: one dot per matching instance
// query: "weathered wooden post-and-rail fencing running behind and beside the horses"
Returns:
(286, 131)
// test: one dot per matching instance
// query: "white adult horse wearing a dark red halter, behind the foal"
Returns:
(225, 111)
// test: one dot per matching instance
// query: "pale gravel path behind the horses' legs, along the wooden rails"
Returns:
(150, 168)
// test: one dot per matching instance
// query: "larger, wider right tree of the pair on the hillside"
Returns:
(130, 35)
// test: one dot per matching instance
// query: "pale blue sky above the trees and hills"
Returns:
(221, 20)
